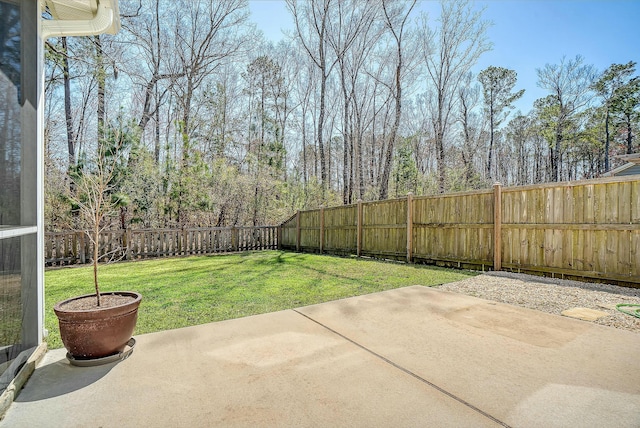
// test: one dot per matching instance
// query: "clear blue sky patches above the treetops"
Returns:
(526, 34)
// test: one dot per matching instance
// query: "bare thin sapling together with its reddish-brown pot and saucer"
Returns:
(98, 327)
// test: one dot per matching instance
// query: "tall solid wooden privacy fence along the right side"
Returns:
(586, 229)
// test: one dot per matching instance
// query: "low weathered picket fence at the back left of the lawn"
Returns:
(74, 247)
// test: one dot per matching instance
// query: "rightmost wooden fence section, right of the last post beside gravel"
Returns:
(589, 229)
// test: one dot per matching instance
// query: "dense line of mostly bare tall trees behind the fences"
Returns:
(362, 100)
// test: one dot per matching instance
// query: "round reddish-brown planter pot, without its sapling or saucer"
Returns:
(100, 332)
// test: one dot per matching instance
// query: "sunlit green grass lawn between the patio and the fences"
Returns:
(180, 292)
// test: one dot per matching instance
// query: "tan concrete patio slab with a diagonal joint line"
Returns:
(408, 357)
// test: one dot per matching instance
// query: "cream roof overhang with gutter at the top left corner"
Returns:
(81, 18)
